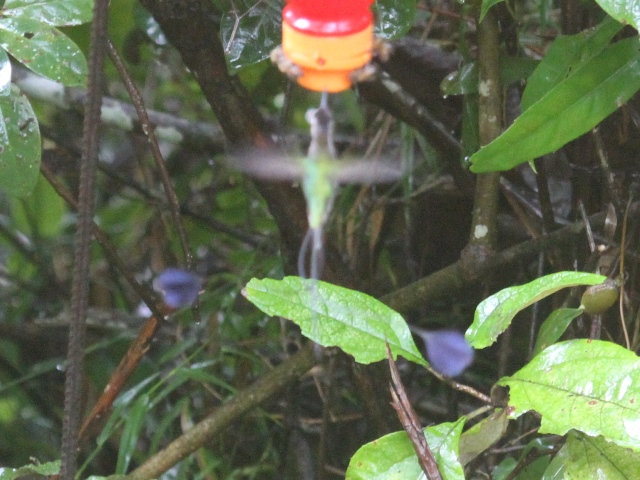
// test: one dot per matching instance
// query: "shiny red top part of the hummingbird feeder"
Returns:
(328, 17)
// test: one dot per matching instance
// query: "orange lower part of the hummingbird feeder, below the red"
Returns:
(327, 61)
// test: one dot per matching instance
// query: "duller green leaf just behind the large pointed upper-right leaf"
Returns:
(566, 55)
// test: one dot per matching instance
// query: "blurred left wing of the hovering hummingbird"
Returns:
(266, 165)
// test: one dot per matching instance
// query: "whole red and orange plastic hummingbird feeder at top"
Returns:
(327, 40)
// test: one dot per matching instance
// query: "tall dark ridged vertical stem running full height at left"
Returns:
(82, 250)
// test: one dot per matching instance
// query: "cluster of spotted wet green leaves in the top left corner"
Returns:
(28, 32)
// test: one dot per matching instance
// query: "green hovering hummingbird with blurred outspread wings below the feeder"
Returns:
(320, 173)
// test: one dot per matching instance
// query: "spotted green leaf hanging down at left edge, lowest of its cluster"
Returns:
(19, 145)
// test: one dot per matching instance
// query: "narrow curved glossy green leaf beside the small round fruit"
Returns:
(494, 314)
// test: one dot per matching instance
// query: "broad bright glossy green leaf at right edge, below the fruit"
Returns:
(588, 385)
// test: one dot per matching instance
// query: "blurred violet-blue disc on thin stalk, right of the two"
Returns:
(447, 350)
